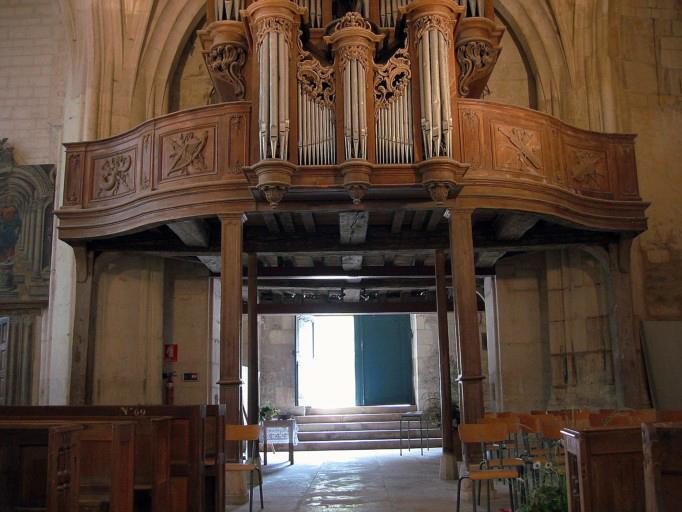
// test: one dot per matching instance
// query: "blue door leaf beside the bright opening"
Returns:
(383, 360)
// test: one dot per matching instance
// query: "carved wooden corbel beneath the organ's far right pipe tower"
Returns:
(477, 50)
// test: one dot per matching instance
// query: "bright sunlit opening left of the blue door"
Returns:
(327, 365)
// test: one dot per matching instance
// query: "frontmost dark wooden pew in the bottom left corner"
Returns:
(39, 467)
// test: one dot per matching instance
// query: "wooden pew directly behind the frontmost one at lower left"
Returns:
(106, 463)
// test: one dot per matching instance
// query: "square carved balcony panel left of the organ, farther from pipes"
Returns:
(113, 175)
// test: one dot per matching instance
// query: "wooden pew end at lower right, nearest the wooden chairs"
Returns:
(604, 469)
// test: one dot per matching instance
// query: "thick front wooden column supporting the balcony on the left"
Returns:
(230, 321)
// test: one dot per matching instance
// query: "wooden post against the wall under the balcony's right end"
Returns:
(628, 372)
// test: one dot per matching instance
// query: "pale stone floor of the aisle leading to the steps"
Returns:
(367, 481)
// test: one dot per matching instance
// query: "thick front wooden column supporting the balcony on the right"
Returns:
(470, 378)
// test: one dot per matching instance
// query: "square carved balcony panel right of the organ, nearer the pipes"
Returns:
(517, 149)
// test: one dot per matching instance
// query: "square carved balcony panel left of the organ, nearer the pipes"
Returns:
(188, 153)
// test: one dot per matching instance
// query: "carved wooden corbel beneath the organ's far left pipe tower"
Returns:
(225, 53)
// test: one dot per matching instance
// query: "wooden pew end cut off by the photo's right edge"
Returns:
(662, 445)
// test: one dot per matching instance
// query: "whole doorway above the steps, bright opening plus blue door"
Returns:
(343, 361)
